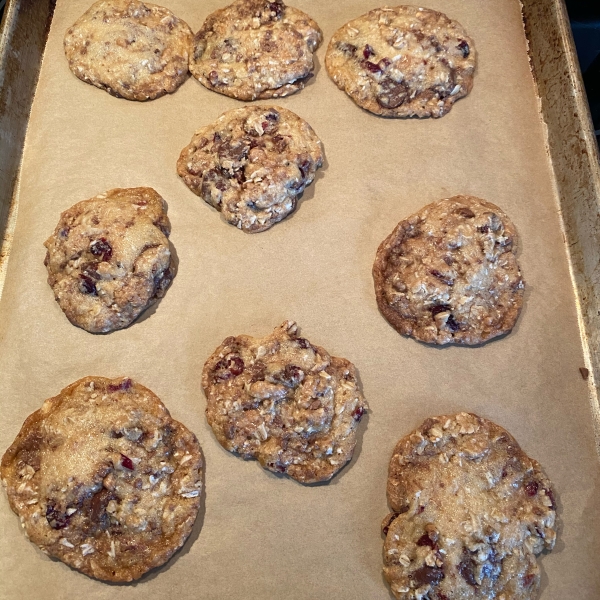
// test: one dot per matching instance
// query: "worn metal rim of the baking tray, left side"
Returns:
(23, 34)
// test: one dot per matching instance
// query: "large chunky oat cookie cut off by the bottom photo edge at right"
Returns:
(470, 512)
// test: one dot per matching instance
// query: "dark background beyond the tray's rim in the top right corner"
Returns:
(585, 23)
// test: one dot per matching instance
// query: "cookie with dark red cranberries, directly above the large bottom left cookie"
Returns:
(109, 259)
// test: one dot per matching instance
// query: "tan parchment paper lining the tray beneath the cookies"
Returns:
(262, 536)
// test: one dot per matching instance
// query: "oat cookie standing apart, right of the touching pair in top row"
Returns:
(402, 62)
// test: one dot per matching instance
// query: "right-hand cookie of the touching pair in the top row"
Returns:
(255, 49)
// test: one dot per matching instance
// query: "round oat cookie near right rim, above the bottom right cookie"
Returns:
(449, 274)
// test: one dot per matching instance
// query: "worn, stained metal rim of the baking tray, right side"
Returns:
(575, 159)
